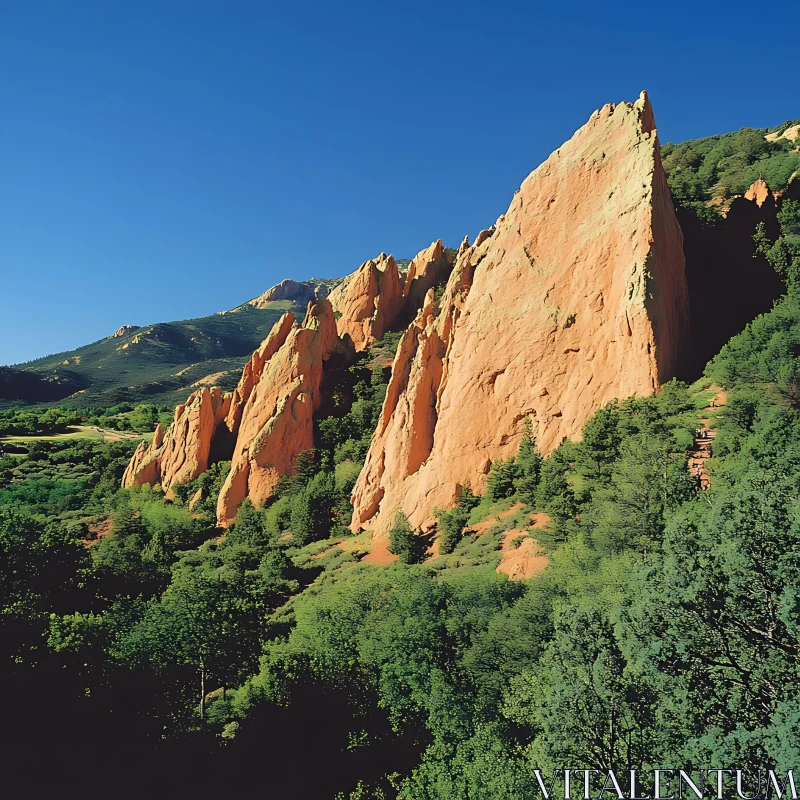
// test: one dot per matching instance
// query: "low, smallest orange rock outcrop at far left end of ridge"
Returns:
(182, 453)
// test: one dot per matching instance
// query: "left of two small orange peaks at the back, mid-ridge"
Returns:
(368, 301)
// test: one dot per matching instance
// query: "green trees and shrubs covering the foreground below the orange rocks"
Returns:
(151, 648)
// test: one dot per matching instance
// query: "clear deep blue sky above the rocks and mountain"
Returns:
(164, 160)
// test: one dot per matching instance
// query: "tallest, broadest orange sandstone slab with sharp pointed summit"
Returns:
(577, 296)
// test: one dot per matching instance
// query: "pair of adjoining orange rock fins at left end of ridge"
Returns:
(265, 422)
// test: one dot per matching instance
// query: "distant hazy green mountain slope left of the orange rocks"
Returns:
(159, 363)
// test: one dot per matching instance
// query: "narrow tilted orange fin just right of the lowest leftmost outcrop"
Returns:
(276, 418)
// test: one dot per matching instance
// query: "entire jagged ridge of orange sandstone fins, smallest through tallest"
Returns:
(577, 295)
